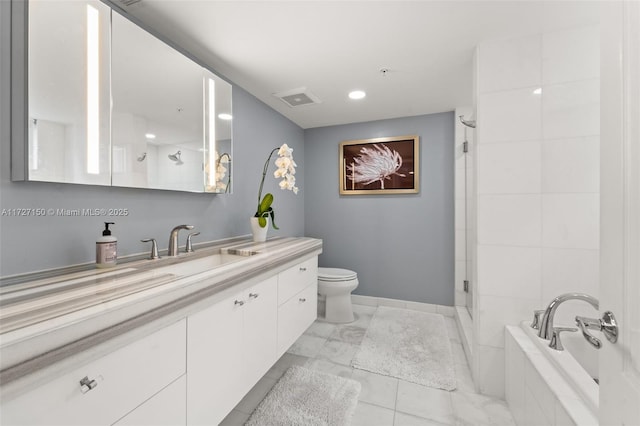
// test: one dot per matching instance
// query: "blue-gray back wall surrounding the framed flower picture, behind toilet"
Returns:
(402, 246)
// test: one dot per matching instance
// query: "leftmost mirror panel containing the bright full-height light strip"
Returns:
(68, 125)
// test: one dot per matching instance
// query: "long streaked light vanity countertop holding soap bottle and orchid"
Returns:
(47, 319)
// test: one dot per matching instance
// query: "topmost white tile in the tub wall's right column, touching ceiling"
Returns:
(572, 54)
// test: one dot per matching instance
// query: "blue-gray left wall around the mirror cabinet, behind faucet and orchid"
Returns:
(37, 243)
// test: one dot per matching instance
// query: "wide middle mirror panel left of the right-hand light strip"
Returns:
(157, 112)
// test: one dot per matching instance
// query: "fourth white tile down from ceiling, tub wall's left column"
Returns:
(509, 220)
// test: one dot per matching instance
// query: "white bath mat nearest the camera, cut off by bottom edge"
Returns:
(307, 397)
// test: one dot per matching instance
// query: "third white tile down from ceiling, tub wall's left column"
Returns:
(509, 168)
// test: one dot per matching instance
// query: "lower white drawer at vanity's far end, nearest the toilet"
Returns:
(296, 315)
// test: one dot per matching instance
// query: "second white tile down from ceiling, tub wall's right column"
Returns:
(571, 109)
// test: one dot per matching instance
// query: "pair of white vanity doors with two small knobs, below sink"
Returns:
(230, 346)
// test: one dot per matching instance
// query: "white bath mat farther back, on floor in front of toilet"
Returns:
(410, 345)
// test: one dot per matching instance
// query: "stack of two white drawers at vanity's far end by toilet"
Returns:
(297, 302)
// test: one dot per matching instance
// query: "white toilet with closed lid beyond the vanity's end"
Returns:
(335, 286)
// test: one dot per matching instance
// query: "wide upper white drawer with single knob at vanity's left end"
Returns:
(125, 379)
